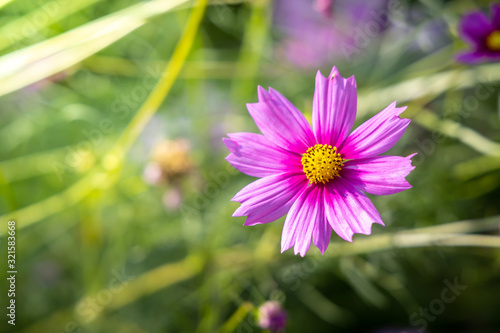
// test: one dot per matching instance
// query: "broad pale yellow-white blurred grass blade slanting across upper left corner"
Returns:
(34, 63)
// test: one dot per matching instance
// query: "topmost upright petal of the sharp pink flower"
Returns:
(334, 107)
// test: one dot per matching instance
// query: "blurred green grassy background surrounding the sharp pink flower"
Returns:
(99, 99)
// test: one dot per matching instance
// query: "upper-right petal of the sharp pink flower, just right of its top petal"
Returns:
(376, 135)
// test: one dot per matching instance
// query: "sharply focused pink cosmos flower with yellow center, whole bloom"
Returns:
(318, 175)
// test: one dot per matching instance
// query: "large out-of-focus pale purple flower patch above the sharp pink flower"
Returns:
(315, 34)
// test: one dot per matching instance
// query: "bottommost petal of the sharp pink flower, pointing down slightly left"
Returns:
(306, 219)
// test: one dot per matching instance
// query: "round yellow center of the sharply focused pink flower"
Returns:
(322, 163)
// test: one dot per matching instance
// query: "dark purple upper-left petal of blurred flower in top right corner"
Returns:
(474, 28)
